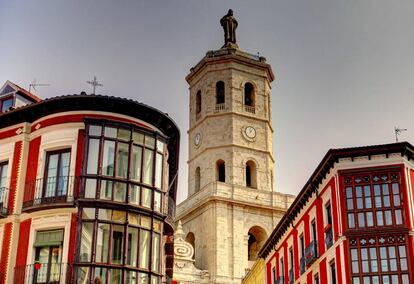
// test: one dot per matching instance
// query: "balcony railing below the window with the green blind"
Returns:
(45, 273)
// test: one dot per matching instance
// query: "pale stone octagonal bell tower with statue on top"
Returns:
(231, 207)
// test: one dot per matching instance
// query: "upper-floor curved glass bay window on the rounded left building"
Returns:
(124, 165)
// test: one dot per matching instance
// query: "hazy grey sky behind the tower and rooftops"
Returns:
(344, 69)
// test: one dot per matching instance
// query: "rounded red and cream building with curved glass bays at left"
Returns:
(88, 188)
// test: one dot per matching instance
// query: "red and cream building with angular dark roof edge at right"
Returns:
(353, 222)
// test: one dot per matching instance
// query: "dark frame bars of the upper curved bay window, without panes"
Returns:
(129, 182)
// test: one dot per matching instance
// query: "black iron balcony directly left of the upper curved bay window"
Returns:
(50, 192)
